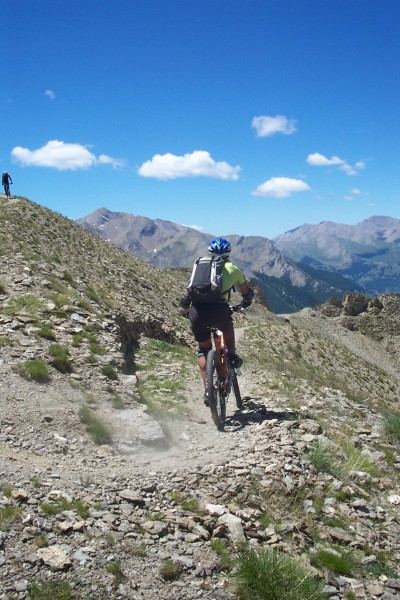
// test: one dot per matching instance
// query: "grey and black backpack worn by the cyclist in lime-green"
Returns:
(205, 282)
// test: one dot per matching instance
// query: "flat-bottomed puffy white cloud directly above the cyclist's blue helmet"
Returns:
(197, 164)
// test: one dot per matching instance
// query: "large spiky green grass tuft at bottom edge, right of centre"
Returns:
(272, 575)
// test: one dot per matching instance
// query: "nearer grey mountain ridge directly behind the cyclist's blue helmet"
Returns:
(287, 286)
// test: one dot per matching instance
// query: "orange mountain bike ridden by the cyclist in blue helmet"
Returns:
(221, 376)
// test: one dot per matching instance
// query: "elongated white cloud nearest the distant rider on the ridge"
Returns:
(62, 156)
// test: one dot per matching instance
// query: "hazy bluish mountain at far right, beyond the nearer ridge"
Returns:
(368, 253)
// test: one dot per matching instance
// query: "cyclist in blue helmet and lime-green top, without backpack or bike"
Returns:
(217, 314)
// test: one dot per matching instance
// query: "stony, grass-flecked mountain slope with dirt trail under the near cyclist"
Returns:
(158, 504)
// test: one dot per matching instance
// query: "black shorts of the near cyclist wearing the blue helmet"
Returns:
(202, 316)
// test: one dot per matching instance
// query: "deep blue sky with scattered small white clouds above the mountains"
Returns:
(233, 116)
